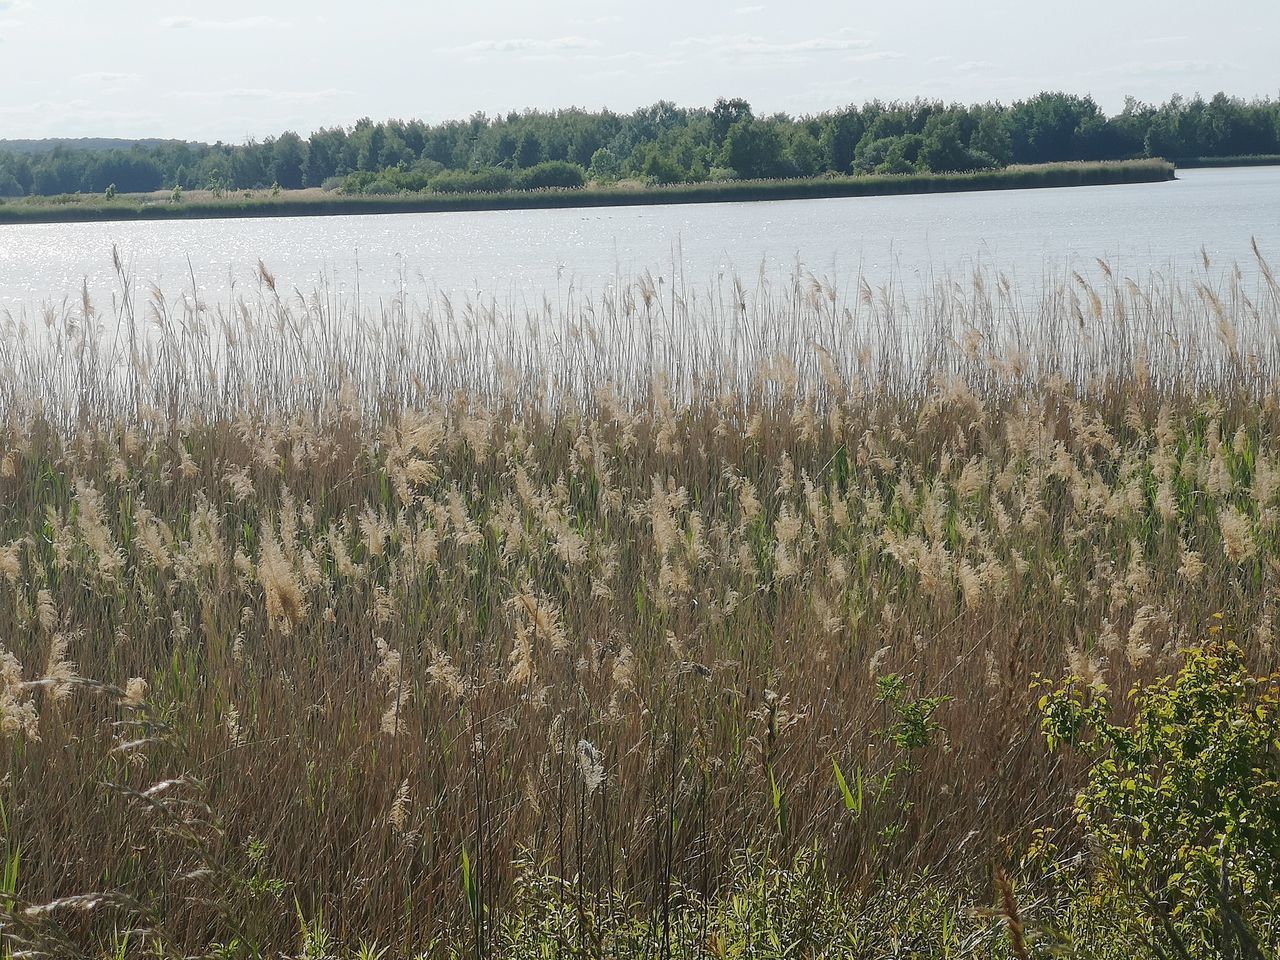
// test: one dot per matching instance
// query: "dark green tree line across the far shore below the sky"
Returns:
(666, 144)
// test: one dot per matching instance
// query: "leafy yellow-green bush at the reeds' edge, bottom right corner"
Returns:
(1183, 803)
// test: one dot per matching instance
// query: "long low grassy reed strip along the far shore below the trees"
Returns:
(312, 203)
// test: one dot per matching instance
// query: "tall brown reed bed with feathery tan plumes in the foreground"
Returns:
(591, 630)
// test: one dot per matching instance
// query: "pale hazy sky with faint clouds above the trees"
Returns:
(234, 71)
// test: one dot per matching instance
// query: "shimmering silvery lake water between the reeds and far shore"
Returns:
(524, 254)
